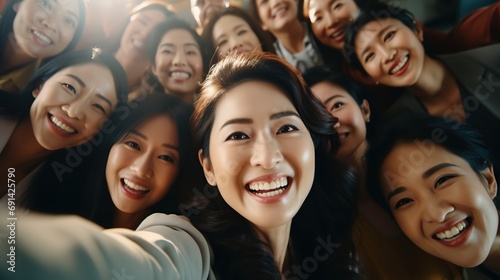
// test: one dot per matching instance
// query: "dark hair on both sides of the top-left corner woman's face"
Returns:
(7, 20)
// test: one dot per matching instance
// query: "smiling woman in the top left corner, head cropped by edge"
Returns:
(31, 30)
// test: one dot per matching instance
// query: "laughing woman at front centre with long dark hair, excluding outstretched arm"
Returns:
(265, 155)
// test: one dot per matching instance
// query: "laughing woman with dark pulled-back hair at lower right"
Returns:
(437, 179)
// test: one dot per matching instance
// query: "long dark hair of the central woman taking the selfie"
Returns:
(326, 214)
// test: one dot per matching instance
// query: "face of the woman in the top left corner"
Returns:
(44, 28)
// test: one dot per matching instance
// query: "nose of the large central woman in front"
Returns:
(266, 153)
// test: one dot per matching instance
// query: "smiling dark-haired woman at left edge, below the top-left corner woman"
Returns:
(73, 98)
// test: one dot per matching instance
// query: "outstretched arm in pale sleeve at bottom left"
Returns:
(69, 247)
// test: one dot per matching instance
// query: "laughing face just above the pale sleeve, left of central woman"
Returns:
(143, 165)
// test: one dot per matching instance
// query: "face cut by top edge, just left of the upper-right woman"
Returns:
(330, 18)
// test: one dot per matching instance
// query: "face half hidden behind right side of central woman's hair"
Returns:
(352, 118)
